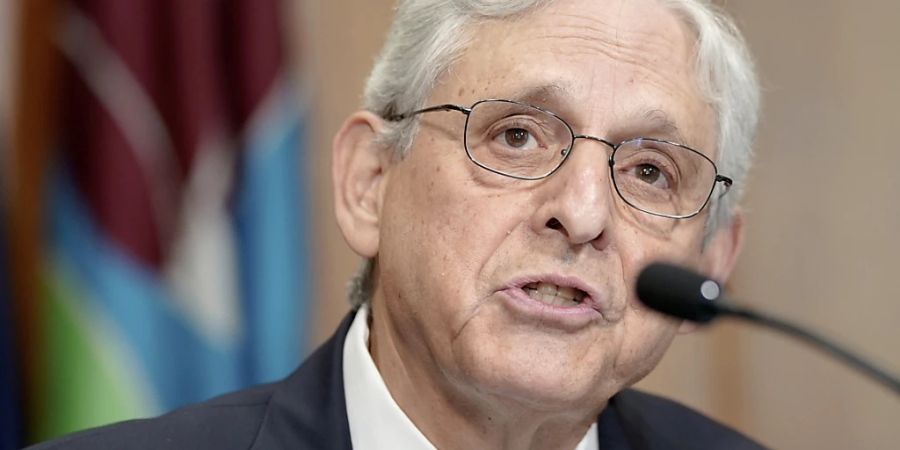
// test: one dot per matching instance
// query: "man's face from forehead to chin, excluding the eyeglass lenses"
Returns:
(459, 247)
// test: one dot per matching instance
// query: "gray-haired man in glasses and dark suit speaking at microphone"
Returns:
(516, 165)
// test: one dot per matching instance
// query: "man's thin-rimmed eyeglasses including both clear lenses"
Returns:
(527, 142)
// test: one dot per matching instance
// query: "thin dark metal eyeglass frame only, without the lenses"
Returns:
(467, 111)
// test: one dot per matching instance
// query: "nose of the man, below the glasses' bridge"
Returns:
(576, 201)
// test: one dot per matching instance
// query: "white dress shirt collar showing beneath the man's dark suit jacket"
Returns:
(376, 421)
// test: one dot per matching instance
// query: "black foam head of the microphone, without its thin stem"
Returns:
(678, 292)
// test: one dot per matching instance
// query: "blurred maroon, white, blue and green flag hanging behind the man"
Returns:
(171, 263)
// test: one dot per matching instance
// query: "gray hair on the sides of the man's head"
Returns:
(427, 36)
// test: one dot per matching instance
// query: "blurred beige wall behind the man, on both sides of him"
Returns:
(822, 223)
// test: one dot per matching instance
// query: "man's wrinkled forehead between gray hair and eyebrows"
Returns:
(602, 65)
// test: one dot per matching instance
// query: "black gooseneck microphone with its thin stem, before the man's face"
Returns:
(686, 295)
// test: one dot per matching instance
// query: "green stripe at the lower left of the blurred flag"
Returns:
(91, 380)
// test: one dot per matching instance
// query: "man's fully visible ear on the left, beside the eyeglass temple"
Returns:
(359, 166)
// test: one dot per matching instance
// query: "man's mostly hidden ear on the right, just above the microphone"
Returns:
(720, 255)
